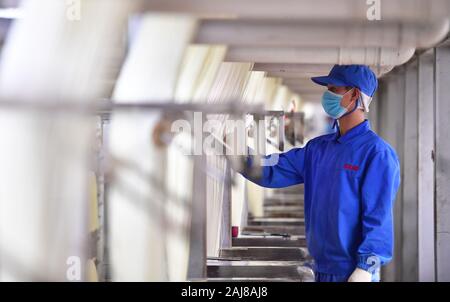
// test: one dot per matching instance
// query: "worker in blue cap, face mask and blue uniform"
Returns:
(350, 181)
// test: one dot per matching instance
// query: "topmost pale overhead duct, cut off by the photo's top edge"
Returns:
(326, 10)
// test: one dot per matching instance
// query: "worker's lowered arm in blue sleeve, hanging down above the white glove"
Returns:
(380, 185)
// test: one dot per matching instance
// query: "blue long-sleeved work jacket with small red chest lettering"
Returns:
(350, 187)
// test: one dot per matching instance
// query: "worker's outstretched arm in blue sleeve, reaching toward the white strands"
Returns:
(284, 169)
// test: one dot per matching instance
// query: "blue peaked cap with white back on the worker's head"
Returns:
(359, 76)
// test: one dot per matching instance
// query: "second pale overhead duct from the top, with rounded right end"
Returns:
(321, 34)
